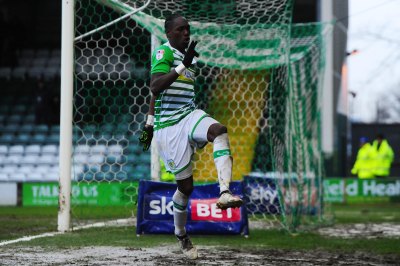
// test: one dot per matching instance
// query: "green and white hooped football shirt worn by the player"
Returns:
(177, 101)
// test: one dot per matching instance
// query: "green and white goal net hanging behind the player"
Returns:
(258, 74)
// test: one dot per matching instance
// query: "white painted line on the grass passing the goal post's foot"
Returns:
(119, 222)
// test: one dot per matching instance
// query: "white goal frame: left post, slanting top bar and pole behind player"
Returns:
(66, 112)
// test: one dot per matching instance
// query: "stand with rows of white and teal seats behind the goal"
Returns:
(29, 150)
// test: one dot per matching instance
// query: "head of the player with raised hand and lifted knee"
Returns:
(177, 30)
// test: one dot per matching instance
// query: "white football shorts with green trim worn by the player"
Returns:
(177, 143)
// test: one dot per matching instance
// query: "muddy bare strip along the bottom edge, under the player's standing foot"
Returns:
(170, 255)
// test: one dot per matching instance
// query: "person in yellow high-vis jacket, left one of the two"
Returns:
(364, 166)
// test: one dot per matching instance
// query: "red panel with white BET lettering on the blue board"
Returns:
(206, 210)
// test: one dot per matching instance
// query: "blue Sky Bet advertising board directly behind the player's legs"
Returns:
(155, 210)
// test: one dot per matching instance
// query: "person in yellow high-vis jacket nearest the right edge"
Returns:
(382, 155)
